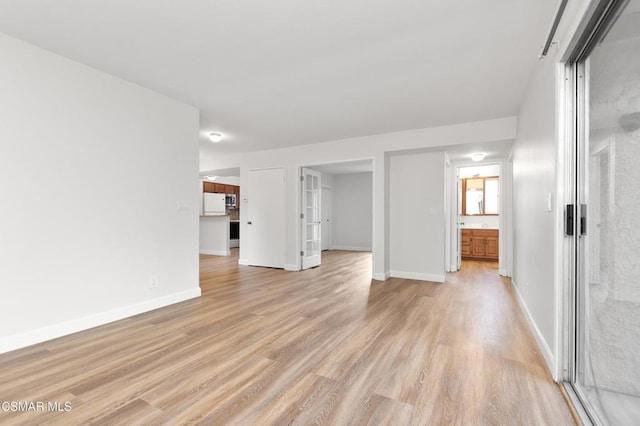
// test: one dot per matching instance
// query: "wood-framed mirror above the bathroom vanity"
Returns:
(480, 196)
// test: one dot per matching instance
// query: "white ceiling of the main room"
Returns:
(279, 73)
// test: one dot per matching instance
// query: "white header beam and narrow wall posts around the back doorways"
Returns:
(374, 147)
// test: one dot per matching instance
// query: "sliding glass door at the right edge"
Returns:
(606, 370)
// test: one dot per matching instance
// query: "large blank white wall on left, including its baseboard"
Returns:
(91, 171)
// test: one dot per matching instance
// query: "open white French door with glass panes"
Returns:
(311, 218)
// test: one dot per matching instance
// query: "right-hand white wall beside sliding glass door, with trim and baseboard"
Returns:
(538, 261)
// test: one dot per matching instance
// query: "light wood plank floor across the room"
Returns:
(324, 346)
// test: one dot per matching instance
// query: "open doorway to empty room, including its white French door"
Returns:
(336, 209)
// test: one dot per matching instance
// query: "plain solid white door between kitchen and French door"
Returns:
(266, 213)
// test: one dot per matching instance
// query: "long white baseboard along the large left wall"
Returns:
(43, 334)
